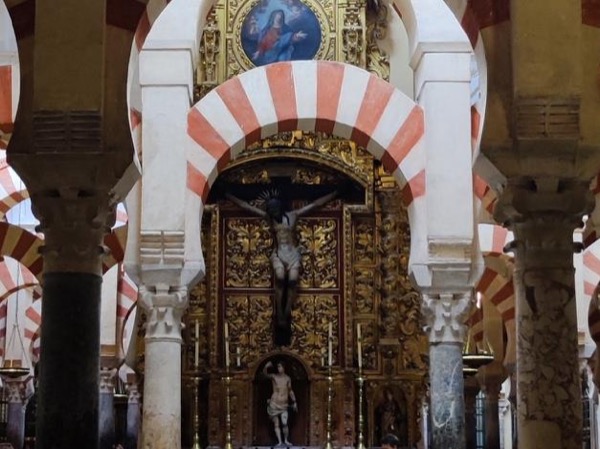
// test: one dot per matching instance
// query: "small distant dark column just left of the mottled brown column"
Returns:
(490, 379)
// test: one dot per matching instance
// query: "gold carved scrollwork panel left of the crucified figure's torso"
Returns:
(248, 245)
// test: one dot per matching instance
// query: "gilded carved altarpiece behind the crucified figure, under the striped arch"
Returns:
(355, 261)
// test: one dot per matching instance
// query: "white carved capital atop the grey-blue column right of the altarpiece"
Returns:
(445, 315)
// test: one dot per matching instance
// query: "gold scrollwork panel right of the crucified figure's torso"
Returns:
(318, 240)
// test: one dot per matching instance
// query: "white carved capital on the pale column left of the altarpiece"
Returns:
(164, 306)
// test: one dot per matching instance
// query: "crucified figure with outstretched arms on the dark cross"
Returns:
(285, 258)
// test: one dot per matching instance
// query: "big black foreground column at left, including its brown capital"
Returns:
(74, 224)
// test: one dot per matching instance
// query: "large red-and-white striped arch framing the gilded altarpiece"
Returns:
(320, 96)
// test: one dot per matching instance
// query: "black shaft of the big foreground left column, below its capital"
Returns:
(70, 349)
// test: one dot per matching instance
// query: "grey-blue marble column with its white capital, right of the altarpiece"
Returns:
(444, 315)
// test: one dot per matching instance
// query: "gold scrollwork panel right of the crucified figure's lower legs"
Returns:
(310, 325)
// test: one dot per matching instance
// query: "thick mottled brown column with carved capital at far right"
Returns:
(543, 215)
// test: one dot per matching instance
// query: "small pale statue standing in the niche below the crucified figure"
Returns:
(278, 405)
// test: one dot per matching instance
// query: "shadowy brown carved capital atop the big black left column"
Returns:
(74, 223)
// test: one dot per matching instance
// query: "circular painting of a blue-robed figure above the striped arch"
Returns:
(280, 30)
